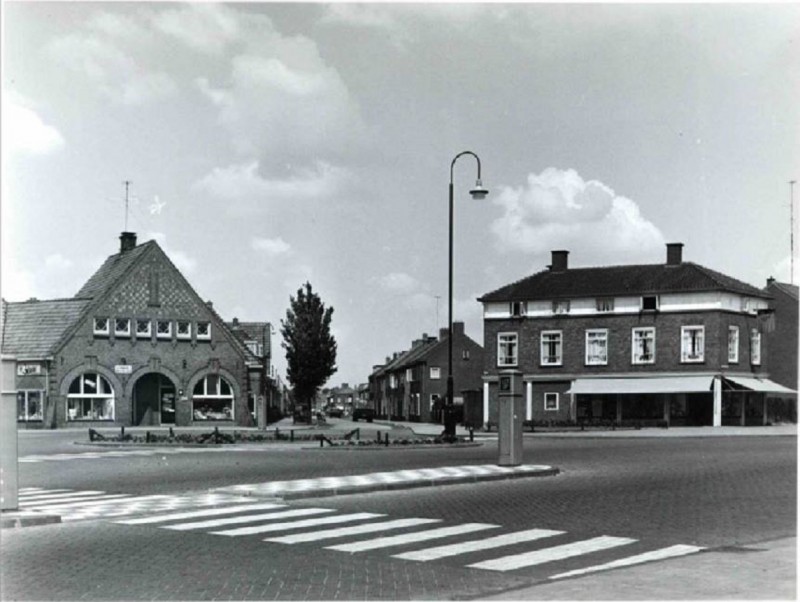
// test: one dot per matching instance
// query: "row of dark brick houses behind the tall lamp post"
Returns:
(412, 385)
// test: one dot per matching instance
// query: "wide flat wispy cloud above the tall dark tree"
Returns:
(243, 182)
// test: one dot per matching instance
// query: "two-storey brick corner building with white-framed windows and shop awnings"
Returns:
(674, 342)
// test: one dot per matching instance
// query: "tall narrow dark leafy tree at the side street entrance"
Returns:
(310, 346)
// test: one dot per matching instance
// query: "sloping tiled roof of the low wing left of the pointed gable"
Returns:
(32, 329)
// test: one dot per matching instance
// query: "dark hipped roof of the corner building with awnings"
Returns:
(620, 280)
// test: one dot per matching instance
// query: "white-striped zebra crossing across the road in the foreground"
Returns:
(415, 539)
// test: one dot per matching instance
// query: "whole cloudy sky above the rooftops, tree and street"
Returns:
(271, 144)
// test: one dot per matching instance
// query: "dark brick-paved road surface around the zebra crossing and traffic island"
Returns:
(725, 493)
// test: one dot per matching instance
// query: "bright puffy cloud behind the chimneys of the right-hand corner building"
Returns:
(558, 209)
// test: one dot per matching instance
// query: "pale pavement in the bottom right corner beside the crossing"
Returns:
(765, 571)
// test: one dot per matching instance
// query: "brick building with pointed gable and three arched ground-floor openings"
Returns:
(135, 346)
